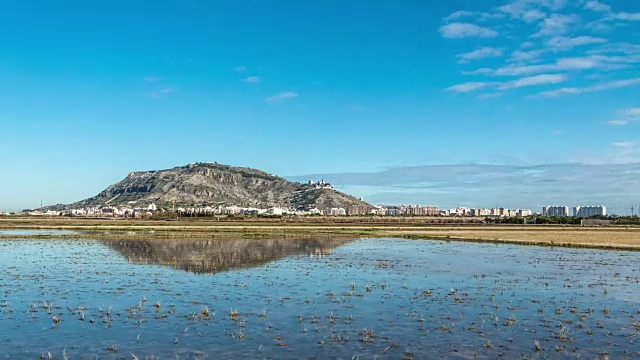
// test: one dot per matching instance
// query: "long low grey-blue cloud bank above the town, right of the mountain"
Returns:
(612, 182)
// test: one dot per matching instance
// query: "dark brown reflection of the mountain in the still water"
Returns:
(215, 255)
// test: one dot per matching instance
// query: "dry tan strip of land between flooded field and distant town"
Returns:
(611, 237)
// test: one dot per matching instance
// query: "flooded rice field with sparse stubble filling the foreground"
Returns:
(362, 299)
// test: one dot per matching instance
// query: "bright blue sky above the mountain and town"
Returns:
(90, 91)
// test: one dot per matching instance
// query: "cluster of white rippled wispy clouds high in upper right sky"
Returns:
(551, 27)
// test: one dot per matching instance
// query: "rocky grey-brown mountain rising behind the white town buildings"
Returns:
(220, 185)
